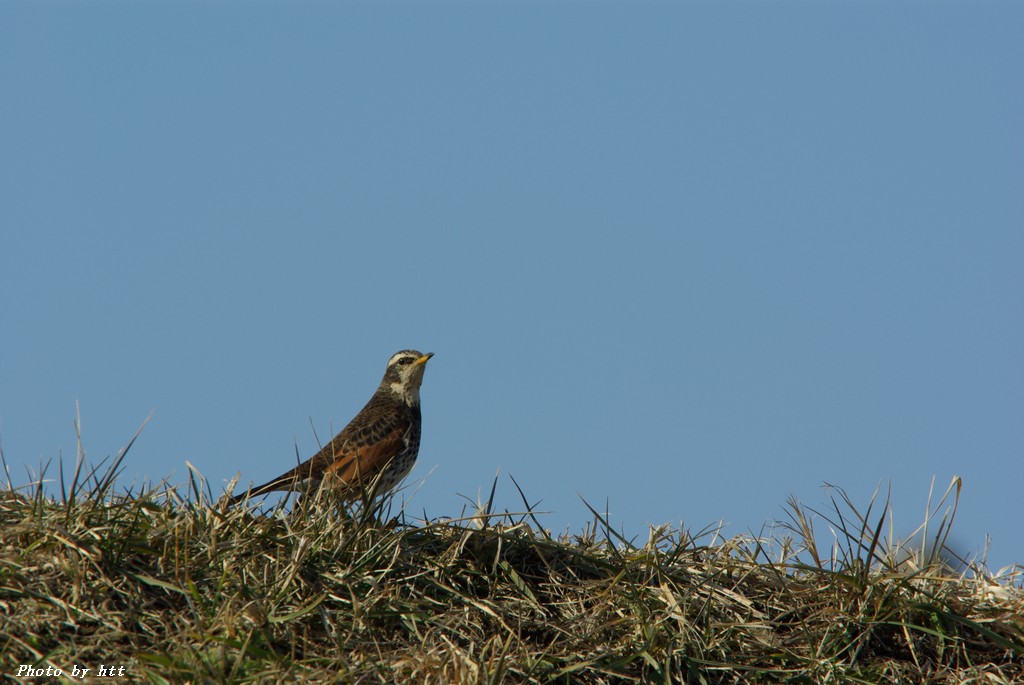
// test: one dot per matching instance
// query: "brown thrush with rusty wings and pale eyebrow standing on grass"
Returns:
(378, 448)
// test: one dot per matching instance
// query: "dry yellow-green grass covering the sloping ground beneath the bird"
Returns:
(176, 587)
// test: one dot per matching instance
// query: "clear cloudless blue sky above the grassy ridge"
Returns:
(685, 260)
